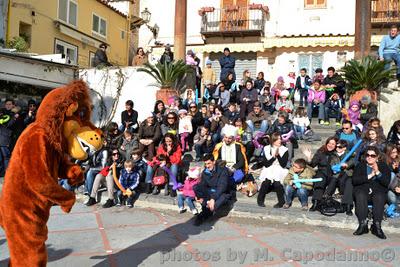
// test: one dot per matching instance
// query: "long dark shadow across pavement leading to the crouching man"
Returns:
(161, 242)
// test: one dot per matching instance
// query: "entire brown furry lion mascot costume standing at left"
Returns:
(42, 155)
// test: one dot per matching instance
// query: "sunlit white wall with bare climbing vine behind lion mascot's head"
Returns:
(137, 87)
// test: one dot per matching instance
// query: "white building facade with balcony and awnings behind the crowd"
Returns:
(273, 36)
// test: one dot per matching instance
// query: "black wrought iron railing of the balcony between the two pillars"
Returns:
(235, 19)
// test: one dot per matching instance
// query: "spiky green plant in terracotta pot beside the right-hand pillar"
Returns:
(365, 77)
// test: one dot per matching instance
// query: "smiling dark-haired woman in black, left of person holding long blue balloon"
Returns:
(321, 160)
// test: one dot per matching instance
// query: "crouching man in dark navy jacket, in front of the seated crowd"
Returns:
(214, 189)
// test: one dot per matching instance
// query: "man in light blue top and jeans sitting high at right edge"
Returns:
(389, 49)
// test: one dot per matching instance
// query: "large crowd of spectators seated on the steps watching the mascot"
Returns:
(239, 126)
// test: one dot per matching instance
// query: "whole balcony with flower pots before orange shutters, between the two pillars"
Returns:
(233, 21)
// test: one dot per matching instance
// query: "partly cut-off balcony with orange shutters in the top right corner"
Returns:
(385, 12)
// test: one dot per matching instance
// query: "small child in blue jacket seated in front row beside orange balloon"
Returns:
(129, 180)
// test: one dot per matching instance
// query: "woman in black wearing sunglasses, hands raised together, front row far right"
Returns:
(371, 179)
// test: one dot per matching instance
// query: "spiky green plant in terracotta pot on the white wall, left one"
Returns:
(167, 76)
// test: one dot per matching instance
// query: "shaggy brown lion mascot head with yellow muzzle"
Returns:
(65, 115)
